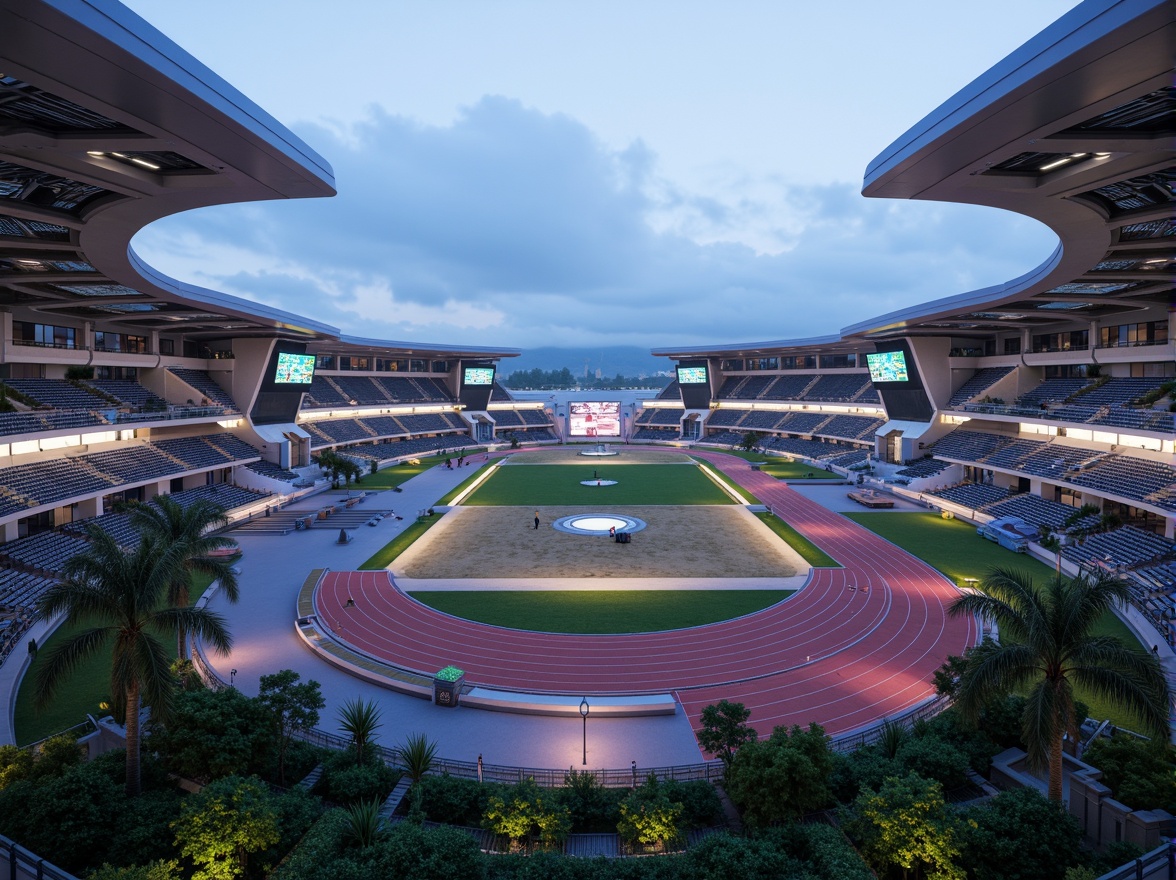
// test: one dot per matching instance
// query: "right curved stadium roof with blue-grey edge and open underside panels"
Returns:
(1078, 130)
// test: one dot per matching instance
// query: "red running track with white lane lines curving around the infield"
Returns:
(856, 645)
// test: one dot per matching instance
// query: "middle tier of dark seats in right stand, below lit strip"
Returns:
(1114, 474)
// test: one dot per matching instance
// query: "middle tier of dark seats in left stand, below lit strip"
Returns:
(41, 483)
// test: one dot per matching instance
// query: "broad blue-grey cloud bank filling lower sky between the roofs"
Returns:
(519, 229)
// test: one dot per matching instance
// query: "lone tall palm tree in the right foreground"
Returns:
(1052, 648)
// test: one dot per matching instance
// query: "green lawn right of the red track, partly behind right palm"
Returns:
(957, 550)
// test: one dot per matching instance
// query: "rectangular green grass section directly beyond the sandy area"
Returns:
(551, 485)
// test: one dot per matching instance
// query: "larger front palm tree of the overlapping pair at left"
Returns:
(124, 595)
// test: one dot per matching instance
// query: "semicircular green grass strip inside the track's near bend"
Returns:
(607, 611)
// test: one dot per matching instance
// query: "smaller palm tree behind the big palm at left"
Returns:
(189, 532)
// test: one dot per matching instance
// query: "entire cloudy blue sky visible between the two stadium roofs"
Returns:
(651, 174)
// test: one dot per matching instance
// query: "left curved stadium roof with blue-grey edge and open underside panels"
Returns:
(108, 126)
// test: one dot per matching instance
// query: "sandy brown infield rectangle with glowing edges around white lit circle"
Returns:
(694, 542)
